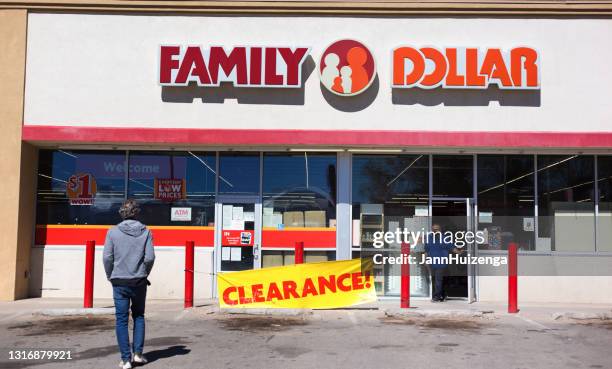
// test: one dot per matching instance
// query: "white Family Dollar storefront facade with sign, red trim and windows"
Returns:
(229, 131)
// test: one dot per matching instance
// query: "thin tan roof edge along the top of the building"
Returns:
(389, 7)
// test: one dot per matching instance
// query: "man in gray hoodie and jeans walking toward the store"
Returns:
(128, 259)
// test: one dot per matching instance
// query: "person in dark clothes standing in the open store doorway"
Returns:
(435, 247)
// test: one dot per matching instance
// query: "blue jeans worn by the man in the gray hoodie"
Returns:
(123, 295)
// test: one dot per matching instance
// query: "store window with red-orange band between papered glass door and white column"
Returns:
(299, 204)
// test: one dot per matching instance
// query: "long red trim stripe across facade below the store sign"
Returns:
(72, 134)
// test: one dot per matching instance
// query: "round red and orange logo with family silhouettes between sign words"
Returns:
(347, 68)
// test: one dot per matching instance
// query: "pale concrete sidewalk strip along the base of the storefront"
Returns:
(419, 307)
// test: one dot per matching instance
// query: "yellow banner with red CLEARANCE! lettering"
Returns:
(331, 284)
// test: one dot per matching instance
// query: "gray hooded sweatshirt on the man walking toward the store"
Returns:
(128, 252)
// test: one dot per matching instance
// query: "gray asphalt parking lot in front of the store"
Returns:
(353, 338)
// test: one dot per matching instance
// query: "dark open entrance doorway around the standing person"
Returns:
(457, 215)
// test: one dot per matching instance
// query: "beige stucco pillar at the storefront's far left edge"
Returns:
(17, 186)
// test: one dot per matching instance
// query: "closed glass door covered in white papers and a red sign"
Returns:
(238, 233)
